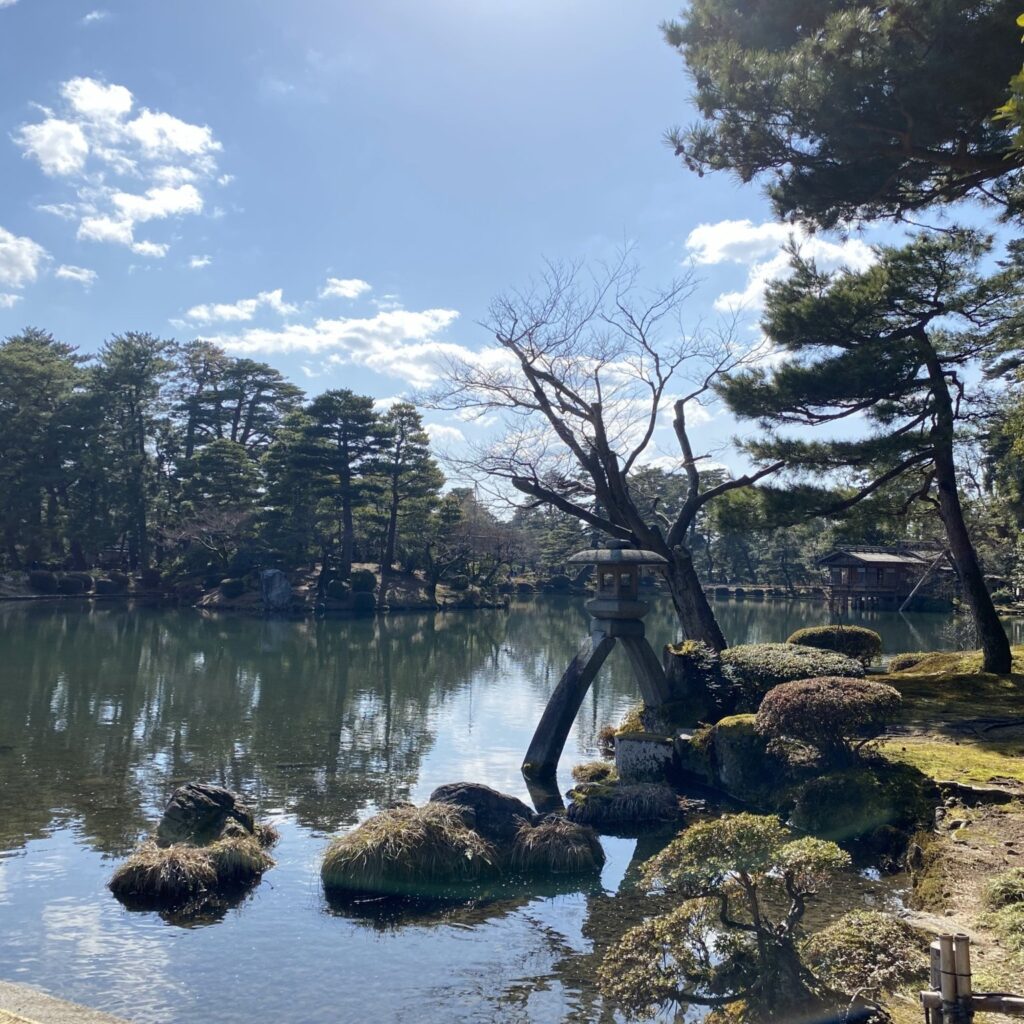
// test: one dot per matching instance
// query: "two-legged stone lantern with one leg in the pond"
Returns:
(617, 613)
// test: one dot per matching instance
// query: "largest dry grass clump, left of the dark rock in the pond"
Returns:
(409, 850)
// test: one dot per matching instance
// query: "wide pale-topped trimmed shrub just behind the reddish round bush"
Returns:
(754, 669)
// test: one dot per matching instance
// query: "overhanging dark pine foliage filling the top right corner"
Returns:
(855, 110)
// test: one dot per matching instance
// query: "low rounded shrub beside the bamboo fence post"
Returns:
(867, 952)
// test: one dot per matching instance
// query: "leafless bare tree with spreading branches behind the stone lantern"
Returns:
(586, 367)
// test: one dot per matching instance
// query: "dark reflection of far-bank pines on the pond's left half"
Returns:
(104, 711)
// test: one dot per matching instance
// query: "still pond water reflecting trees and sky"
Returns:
(104, 711)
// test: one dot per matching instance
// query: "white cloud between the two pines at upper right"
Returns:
(761, 248)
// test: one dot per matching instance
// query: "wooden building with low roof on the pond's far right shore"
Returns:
(865, 577)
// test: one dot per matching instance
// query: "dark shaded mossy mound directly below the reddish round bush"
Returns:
(866, 803)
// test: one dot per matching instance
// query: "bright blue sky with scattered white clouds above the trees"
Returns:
(339, 189)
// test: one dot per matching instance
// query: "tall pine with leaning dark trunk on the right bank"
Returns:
(898, 345)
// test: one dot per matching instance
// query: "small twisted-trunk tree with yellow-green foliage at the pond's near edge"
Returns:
(746, 882)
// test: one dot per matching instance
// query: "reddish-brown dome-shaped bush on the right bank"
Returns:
(833, 714)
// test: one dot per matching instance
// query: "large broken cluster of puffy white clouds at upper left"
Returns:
(100, 137)
